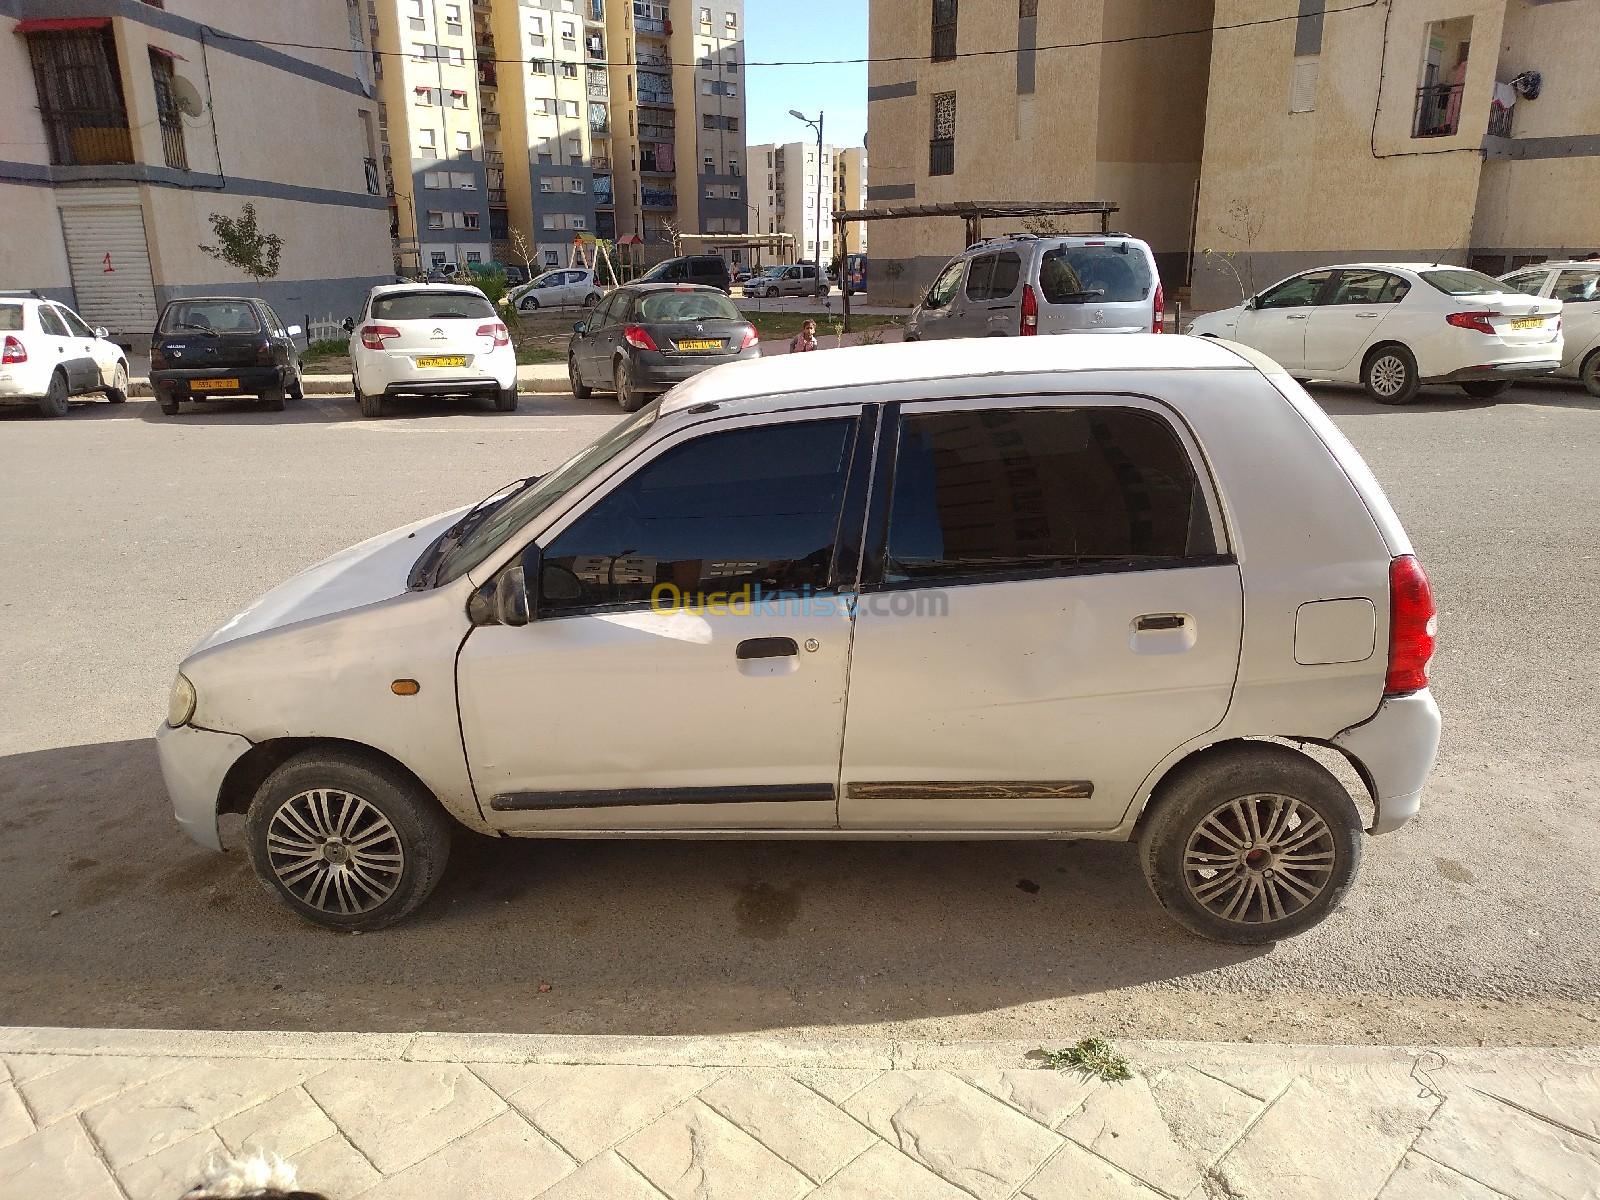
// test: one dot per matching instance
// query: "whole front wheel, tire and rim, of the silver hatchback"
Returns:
(300, 833)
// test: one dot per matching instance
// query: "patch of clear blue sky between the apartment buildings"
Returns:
(806, 30)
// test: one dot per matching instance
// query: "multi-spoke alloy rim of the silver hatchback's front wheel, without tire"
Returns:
(335, 852)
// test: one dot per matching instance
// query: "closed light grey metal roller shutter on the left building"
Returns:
(110, 223)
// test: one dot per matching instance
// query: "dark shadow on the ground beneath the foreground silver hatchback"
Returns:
(113, 918)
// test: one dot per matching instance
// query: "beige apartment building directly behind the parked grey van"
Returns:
(1122, 121)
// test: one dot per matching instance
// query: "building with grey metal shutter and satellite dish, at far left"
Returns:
(127, 126)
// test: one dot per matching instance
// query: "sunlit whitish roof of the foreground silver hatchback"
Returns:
(815, 378)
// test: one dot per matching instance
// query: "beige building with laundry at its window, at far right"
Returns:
(1458, 130)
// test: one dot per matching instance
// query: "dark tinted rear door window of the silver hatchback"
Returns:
(1042, 492)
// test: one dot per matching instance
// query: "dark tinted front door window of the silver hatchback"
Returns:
(746, 511)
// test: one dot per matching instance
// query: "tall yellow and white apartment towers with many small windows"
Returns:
(561, 121)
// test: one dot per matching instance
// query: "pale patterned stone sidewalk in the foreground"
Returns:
(130, 1114)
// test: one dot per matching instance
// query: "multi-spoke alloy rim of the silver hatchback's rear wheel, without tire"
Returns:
(1260, 858)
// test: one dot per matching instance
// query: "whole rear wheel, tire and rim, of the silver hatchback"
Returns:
(1271, 881)
